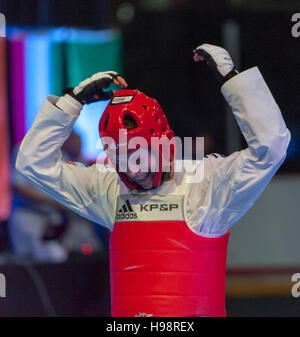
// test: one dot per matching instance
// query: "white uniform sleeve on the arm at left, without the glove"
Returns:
(82, 189)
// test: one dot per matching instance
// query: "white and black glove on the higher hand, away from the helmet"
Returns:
(218, 60)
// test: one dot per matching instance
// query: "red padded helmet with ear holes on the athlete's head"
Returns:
(150, 121)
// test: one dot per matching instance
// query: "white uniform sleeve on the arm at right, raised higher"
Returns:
(233, 183)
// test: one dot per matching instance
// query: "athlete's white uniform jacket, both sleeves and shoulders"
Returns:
(229, 187)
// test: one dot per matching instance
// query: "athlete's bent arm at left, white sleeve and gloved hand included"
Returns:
(40, 159)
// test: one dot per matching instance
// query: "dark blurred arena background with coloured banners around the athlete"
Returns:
(50, 45)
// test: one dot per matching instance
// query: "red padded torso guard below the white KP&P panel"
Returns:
(162, 268)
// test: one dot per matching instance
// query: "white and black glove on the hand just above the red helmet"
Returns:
(91, 89)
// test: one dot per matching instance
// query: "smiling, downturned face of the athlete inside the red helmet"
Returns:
(139, 165)
